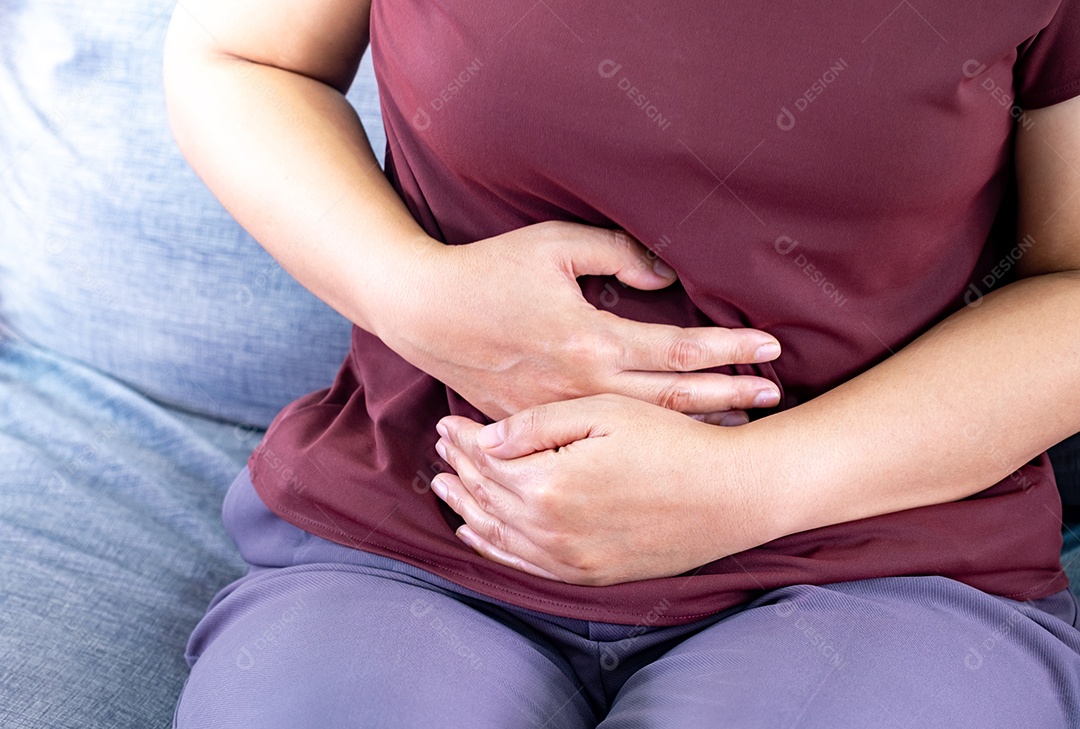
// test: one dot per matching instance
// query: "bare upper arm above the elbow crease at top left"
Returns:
(320, 39)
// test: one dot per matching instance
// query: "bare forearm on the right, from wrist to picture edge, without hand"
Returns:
(949, 416)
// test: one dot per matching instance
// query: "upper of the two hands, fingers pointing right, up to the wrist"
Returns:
(504, 323)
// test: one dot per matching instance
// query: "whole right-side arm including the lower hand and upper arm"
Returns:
(601, 491)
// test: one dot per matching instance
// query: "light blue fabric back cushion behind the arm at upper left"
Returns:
(112, 250)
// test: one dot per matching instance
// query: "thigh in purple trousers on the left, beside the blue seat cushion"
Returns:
(345, 646)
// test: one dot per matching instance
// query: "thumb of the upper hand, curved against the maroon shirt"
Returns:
(617, 253)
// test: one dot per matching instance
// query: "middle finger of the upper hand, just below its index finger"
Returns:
(699, 393)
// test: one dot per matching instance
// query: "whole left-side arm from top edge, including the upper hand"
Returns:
(255, 91)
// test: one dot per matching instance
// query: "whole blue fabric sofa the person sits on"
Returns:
(146, 342)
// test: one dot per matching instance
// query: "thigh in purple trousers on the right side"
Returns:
(922, 652)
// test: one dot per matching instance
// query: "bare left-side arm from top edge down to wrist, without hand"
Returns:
(256, 102)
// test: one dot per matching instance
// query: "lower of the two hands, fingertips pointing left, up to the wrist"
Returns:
(604, 490)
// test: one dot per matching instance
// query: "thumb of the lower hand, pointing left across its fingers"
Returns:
(539, 428)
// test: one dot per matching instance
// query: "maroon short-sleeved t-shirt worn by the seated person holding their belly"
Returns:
(840, 178)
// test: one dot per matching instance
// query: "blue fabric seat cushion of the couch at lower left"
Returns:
(113, 544)
